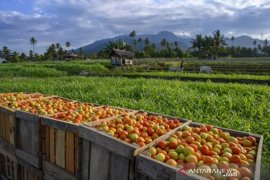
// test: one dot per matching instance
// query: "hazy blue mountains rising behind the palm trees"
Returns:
(183, 42)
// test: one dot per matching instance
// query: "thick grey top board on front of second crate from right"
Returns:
(112, 144)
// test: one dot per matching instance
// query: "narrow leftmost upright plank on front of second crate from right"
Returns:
(86, 149)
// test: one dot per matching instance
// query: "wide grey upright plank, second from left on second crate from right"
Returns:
(99, 165)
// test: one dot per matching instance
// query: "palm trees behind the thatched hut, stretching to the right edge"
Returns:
(203, 47)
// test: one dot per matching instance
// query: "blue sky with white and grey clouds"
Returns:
(82, 22)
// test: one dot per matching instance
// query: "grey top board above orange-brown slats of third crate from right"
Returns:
(58, 124)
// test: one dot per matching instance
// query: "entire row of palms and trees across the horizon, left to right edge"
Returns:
(203, 47)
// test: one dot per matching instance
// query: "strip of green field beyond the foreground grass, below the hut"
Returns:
(57, 69)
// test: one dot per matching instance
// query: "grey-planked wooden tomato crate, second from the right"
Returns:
(105, 157)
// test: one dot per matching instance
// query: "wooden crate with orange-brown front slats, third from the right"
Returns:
(62, 147)
